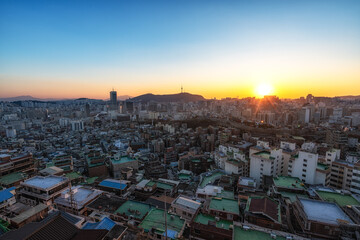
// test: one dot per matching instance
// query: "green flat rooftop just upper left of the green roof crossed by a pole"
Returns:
(134, 208)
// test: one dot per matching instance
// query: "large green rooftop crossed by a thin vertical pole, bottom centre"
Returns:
(156, 220)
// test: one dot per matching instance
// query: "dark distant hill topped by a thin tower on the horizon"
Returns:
(179, 97)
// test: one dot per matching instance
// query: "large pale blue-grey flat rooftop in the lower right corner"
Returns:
(323, 211)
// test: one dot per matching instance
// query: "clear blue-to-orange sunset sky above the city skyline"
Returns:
(71, 49)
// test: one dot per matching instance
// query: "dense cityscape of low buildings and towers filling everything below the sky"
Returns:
(183, 168)
